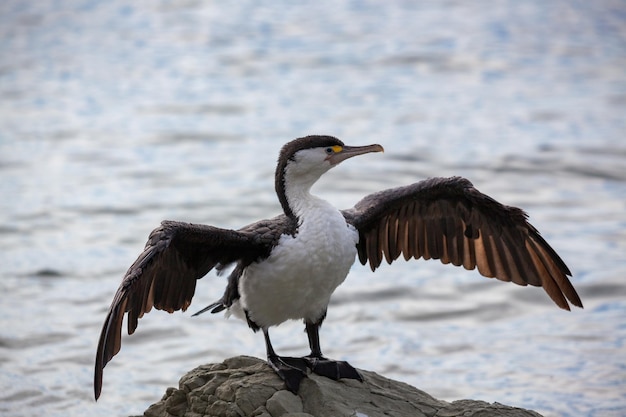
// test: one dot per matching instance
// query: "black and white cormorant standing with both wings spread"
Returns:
(287, 267)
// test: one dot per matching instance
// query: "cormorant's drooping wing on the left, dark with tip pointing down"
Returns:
(164, 276)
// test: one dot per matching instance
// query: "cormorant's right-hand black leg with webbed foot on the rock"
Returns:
(324, 366)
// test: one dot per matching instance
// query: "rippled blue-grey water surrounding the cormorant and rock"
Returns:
(115, 115)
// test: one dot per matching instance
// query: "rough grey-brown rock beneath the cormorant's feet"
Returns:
(245, 386)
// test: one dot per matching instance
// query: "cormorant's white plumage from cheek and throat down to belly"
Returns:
(298, 278)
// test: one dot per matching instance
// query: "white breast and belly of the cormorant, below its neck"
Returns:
(298, 278)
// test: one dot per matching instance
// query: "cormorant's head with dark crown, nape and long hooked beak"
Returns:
(304, 160)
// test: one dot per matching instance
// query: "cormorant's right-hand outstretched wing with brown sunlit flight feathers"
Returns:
(448, 219)
